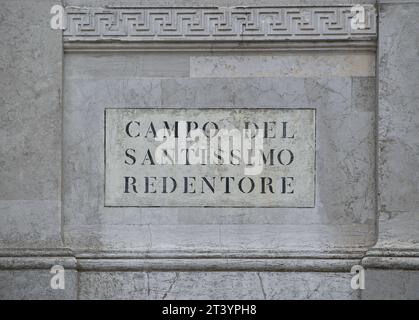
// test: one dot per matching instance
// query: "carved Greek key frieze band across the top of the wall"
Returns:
(217, 24)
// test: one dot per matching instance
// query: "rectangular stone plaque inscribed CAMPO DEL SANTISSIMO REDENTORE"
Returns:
(215, 157)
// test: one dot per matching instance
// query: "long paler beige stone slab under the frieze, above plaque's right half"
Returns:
(308, 64)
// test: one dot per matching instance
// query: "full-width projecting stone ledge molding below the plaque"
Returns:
(336, 260)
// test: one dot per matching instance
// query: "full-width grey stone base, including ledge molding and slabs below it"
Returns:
(209, 274)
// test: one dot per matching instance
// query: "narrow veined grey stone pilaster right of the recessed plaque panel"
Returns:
(398, 161)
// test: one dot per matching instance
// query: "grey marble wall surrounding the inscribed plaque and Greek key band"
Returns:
(55, 87)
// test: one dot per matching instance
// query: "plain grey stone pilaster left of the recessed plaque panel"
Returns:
(30, 125)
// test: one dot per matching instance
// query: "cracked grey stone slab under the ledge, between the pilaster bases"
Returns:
(216, 285)
